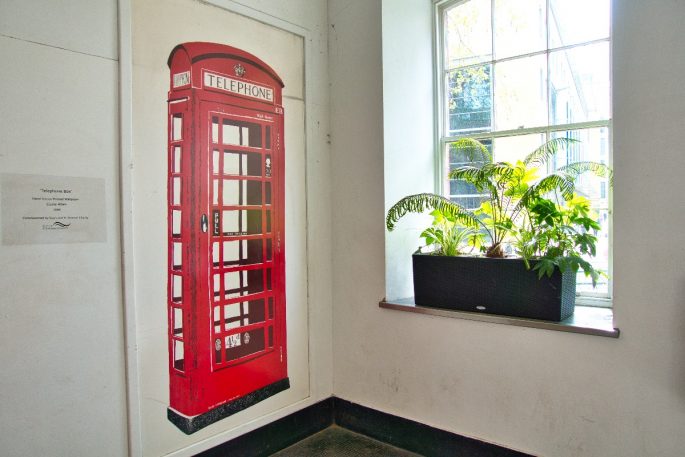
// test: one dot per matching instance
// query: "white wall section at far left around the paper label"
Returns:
(61, 323)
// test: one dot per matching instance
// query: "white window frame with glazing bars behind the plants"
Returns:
(442, 138)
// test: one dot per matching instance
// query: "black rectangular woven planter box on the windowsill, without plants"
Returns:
(492, 286)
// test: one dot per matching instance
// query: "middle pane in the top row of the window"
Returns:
(519, 27)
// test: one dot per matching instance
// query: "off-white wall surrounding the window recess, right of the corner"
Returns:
(543, 392)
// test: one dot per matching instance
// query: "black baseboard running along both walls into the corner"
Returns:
(394, 430)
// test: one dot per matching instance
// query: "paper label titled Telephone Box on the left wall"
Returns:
(37, 209)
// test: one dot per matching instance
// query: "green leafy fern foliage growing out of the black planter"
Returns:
(542, 217)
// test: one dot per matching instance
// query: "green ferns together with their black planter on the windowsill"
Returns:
(547, 227)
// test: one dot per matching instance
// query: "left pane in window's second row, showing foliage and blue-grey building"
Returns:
(470, 100)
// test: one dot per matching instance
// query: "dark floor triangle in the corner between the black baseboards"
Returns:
(335, 441)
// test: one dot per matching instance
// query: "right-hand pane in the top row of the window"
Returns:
(578, 21)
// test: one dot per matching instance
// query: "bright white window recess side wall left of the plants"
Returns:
(408, 128)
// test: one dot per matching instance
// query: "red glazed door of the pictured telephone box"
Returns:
(245, 267)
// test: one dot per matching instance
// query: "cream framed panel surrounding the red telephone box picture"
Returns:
(141, 91)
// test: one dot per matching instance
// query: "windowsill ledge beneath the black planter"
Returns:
(587, 320)
